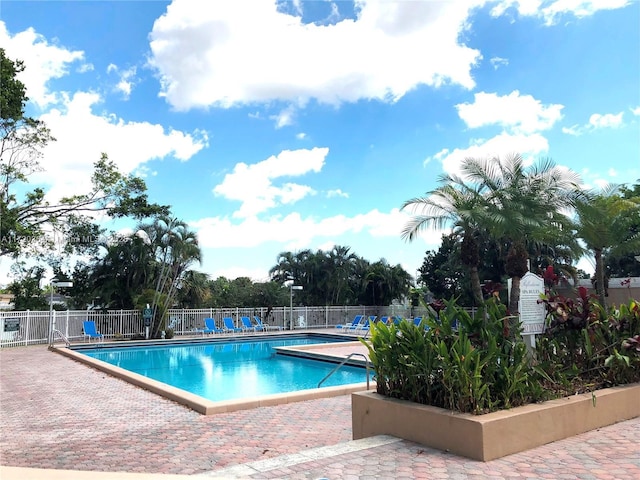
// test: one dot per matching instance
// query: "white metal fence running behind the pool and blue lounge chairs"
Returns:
(33, 327)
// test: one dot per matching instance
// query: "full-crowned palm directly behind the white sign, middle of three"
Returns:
(523, 204)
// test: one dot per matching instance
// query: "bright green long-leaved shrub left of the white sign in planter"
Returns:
(477, 368)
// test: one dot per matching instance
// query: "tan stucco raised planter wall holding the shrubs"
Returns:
(494, 435)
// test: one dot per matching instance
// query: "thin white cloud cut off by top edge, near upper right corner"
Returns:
(552, 10)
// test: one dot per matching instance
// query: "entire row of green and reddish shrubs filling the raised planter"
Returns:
(478, 365)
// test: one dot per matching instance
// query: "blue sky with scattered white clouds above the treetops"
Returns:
(280, 126)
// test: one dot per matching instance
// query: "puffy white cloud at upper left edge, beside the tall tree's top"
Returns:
(42, 60)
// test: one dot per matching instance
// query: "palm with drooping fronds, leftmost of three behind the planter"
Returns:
(460, 206)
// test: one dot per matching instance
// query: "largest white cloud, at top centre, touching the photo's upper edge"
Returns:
(221, 56)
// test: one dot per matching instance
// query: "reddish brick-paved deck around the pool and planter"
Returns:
(62, 420)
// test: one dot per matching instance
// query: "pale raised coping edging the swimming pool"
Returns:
(209, 407)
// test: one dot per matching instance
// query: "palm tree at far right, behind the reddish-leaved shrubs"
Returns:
(601, 224)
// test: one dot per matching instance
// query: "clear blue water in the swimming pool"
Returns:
(230, 371)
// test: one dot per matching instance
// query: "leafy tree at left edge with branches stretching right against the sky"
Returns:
(25, 215)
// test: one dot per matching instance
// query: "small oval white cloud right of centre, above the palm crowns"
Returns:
(519, 113)
